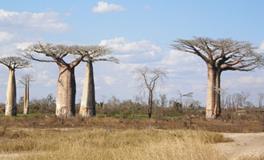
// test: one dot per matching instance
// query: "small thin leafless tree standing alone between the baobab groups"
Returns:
(150, 78)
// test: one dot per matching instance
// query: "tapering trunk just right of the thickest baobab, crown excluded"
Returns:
(87, 108)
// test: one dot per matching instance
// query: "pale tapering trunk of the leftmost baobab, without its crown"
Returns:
(11, 107)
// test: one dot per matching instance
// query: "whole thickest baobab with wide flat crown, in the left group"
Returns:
(66, 58)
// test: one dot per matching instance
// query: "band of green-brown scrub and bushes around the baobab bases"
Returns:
(117, 114)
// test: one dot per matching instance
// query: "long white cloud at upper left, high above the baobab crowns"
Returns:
(44, 21)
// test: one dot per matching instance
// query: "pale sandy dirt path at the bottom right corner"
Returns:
(245, 144)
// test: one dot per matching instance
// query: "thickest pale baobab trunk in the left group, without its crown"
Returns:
(66, 90)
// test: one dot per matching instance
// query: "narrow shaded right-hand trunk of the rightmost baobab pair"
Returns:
(218, 94)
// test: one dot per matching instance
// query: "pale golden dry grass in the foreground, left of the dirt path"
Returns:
(111, 144)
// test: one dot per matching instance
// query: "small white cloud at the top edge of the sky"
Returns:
(103, 7)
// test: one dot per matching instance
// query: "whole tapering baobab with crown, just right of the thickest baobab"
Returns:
(88, 103)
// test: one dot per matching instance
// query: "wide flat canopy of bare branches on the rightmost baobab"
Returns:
(224, 54)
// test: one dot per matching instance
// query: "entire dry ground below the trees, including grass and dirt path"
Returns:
(187, 137)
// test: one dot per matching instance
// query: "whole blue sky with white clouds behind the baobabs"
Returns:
(139, 33)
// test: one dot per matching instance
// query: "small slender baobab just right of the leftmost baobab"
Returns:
(25, 81)
